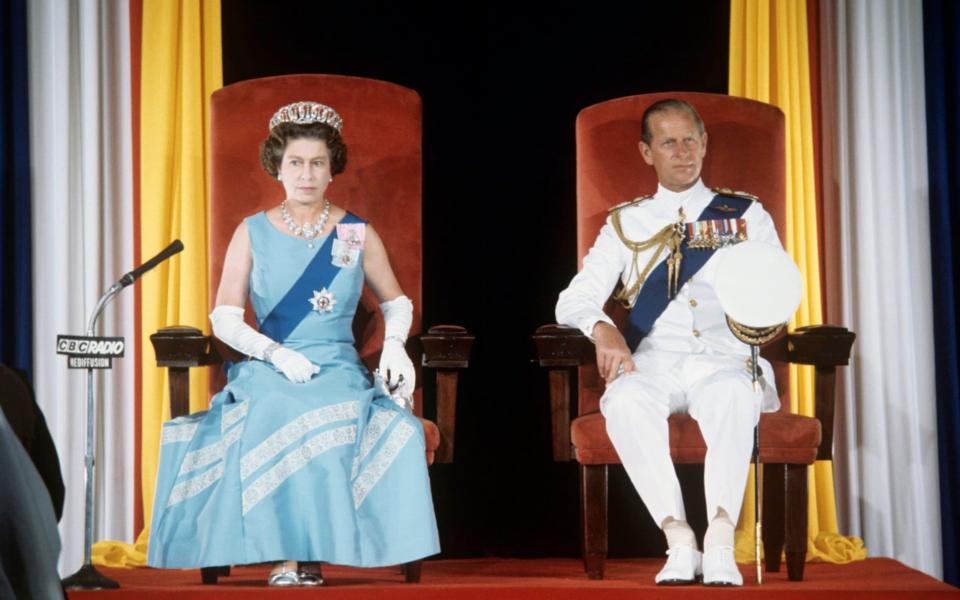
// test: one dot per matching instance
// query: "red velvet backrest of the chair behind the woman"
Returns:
(382, 182)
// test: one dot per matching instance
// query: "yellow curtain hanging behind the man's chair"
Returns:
(770, 62)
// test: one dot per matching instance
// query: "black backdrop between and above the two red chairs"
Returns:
(501, 86)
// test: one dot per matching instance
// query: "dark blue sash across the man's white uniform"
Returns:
(652, 299)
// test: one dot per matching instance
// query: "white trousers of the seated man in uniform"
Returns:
(717, 392)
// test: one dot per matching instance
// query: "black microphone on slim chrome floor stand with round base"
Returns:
(88, 577)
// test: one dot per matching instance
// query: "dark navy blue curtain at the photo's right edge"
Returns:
(941, 22)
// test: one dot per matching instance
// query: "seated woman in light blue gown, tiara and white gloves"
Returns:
(301, 459)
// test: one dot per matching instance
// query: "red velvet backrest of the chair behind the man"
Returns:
(745, 151)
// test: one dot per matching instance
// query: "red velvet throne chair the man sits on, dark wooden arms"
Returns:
(745, 152)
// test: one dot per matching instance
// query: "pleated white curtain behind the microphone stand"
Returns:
(81, 149)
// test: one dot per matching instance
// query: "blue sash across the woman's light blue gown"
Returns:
(295, 305)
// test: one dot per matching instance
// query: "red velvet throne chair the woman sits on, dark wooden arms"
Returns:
(382, 182)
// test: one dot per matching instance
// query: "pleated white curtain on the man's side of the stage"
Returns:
(886, 437)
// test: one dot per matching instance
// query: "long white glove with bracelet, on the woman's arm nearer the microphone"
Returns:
(229, 326)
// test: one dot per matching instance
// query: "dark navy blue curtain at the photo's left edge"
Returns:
(16, 318)
